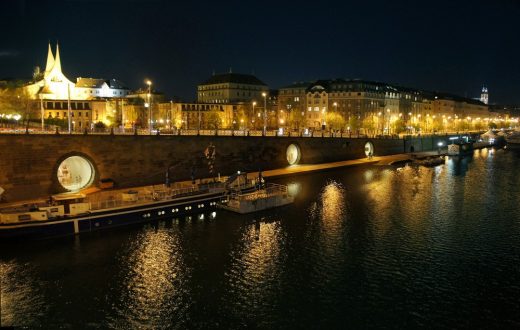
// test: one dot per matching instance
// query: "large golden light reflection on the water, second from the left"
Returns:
(153, 280)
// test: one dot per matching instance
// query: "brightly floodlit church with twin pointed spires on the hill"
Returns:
(52, 84)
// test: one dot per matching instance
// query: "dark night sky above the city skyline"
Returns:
(451, 46)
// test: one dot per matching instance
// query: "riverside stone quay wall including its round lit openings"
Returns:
(43, 164)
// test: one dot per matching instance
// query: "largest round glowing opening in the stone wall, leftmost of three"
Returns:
(75, 173)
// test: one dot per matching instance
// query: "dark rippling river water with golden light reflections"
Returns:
(361, 247)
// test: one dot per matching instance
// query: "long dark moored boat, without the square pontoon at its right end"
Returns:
(70, 214)
